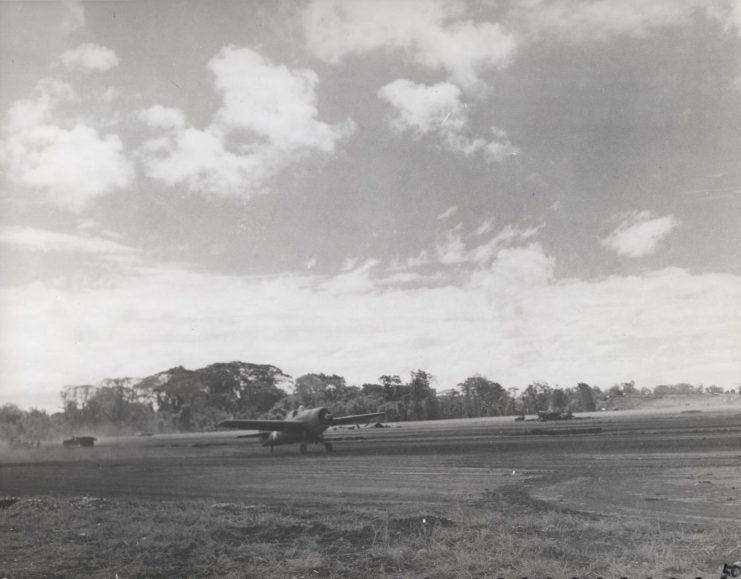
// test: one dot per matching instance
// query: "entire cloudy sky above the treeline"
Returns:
(532, 190)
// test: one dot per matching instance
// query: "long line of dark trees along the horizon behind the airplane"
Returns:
(180, 400)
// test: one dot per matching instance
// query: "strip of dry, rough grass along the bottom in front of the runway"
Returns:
(504, 534)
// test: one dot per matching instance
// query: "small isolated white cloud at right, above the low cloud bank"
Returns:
(640, 235)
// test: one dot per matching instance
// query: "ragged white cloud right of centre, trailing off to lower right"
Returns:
(437, 111)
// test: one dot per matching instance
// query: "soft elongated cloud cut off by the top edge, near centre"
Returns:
(435, 34)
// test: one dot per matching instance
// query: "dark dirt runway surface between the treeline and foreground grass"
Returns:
(675, 467)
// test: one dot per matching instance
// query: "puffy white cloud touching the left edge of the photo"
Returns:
(70, 165)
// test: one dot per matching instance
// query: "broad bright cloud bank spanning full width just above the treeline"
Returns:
(510, 320)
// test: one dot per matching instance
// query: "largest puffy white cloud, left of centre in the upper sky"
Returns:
(268, 120)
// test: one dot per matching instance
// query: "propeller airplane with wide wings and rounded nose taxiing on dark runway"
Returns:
(304, 425)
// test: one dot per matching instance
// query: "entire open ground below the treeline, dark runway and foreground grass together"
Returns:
(635, 497)
